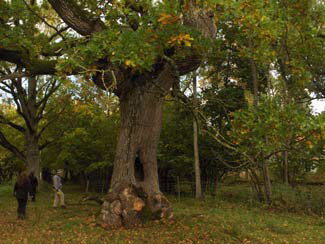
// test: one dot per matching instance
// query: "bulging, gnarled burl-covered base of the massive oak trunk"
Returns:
(126, 205)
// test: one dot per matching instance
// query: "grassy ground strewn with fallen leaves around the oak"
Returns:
(208, 221)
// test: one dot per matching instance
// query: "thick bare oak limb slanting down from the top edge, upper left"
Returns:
(77, 18)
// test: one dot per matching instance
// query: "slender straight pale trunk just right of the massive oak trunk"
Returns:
(198, 187)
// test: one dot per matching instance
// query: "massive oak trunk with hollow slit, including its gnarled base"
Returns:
(129, 196)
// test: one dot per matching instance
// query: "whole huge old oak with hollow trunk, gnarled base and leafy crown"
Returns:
(138, 49)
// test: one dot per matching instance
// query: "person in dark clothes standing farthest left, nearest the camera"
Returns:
(21, 190)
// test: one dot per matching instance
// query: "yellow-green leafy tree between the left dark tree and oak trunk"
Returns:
(88, 143)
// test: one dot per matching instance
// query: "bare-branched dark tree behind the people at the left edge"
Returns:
(30, 98)
